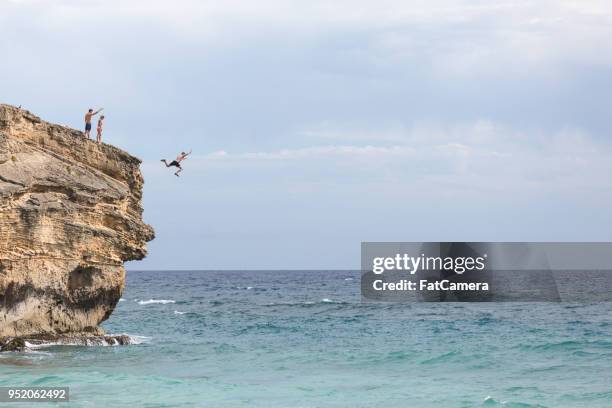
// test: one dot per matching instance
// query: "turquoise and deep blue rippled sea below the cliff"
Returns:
(303, 339)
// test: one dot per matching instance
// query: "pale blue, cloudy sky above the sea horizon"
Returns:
(318, 125)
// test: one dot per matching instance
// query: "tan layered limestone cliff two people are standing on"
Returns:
(70, 215)
